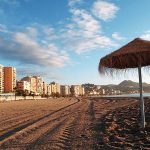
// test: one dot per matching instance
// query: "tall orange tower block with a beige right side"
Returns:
(9, 79)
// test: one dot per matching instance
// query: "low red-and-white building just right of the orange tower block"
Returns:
(23, 86)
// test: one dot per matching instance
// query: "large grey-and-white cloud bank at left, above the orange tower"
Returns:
(24, 49)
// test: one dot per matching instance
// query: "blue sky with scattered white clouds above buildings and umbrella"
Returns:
(63, 40)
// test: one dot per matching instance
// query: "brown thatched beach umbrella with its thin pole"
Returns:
(135, 54)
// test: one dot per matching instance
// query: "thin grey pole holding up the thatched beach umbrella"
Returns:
(141, 98)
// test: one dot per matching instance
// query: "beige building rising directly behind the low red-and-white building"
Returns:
(33, 83)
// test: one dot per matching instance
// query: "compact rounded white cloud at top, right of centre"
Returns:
(104, 10)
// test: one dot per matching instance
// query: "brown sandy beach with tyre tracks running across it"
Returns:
(71, 123)
